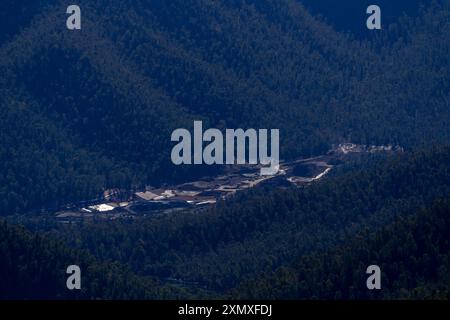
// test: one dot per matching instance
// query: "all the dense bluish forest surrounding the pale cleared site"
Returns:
(89, 110)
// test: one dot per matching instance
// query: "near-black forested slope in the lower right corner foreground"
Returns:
(413, 255)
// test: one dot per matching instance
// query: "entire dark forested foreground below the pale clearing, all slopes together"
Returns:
(309, 243)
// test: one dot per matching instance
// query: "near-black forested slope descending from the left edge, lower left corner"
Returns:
(34, 267)
